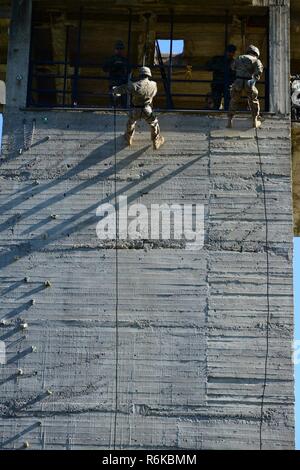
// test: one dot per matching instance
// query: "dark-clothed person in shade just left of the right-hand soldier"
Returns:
(223, 76)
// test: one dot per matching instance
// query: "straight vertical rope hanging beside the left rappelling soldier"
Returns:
(117, 282)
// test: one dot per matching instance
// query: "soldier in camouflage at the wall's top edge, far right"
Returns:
(248, 70)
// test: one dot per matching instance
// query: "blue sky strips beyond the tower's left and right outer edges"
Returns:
(297, 321)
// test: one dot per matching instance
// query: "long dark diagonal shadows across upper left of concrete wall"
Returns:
(67, 227)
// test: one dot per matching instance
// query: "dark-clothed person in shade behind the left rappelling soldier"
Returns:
(117, 67)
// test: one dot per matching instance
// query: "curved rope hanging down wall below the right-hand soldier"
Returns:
(268, 293)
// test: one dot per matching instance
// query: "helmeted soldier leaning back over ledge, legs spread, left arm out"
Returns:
(142, 92)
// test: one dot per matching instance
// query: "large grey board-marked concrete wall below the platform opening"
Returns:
(191, 324)
